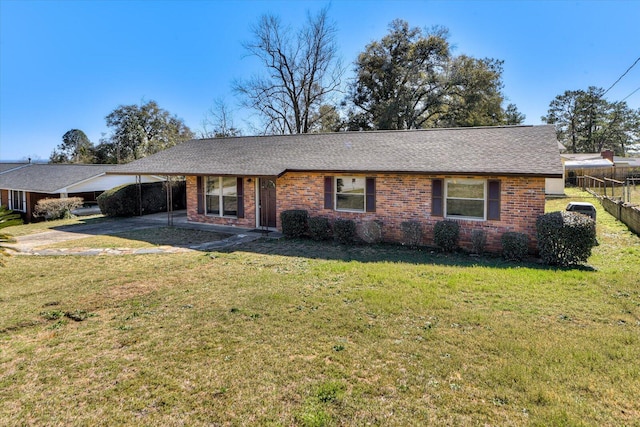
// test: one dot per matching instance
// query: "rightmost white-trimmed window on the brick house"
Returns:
(465, 198)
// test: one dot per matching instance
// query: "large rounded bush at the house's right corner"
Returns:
(565, 238)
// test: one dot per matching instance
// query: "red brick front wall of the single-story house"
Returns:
(399, 198)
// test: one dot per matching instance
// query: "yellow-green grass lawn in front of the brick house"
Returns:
(311, 334)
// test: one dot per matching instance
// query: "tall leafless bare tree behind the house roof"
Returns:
(302, 71)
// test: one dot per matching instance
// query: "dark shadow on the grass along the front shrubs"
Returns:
(385, 253)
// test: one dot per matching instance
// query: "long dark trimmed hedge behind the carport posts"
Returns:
(125, 199)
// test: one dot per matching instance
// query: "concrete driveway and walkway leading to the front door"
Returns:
(31, 244)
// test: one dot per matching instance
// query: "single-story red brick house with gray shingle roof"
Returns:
(488, 178)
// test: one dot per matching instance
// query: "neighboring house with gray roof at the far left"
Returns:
(22, 185)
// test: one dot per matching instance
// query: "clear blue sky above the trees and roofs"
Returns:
(67, 64)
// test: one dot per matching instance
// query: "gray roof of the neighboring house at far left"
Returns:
(49, 178)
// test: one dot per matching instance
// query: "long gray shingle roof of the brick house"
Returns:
(510, 150)
